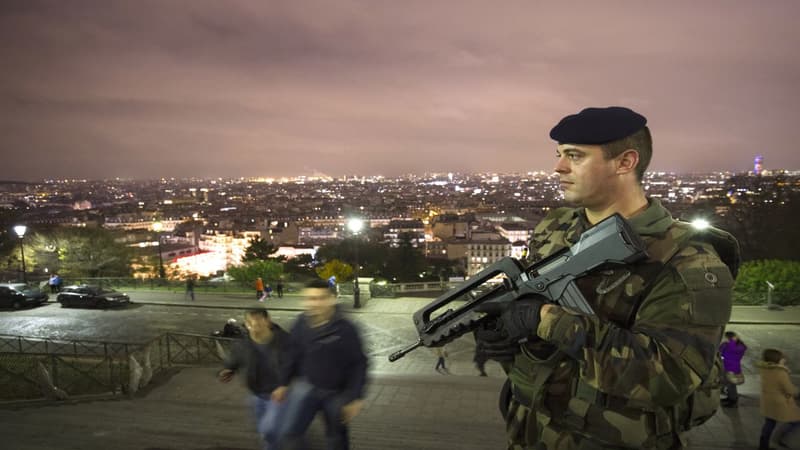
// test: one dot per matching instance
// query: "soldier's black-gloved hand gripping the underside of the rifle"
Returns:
(512, 324)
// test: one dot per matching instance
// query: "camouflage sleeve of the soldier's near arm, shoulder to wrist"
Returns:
(671, 348)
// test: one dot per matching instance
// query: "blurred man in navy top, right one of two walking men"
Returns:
(326, 371)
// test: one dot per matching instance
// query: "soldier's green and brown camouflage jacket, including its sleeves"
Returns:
(637, 370)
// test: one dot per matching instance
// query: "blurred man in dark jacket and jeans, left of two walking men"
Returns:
(259, 356)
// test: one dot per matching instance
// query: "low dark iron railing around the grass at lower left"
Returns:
(34, 368)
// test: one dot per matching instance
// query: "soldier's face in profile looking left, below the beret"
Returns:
(586, 177)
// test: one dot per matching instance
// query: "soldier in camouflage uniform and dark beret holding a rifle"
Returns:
(645, 369)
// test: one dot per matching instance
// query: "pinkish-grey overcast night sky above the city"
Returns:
(231, 88)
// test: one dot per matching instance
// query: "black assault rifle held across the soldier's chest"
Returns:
(610, 242)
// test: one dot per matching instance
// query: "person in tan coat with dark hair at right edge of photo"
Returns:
(778, 398)
